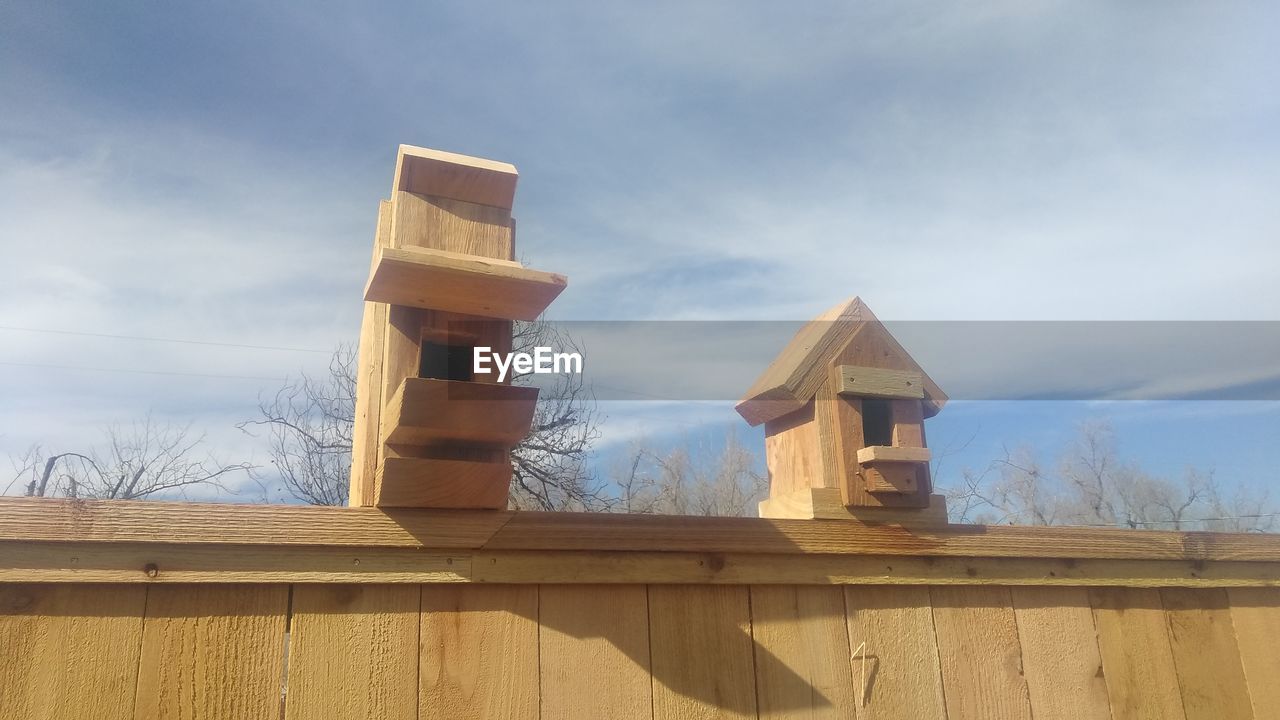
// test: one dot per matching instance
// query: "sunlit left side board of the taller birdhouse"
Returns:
(369, 385)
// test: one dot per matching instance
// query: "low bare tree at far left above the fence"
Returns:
(136, 462)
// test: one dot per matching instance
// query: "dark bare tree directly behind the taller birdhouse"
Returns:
(310, 425)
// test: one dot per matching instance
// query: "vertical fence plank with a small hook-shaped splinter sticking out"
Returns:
(897, 671)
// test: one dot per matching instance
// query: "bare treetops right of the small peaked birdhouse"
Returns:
(1094, 486)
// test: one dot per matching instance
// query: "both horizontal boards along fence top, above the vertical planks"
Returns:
(122, 541)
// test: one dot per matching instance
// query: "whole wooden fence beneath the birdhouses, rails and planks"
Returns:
(129, 610)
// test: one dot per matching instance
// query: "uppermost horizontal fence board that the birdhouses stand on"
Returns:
(284, 526)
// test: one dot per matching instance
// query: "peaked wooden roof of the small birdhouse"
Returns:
(794, 377)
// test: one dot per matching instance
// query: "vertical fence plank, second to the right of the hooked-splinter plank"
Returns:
(1060, 654)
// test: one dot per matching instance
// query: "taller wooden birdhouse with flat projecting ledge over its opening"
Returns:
(445, 281)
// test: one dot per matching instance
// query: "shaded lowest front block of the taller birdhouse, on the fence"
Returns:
(420, 482)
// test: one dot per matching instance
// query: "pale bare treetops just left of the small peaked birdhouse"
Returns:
(689, 481)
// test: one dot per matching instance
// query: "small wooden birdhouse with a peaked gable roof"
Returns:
(844, 411)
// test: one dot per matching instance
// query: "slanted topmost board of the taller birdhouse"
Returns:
(450, 175)
